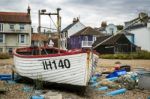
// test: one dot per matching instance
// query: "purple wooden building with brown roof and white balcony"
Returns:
(84, 38)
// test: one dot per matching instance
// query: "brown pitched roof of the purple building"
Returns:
(88, 31)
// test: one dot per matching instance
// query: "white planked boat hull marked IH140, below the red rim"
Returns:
(75, 69)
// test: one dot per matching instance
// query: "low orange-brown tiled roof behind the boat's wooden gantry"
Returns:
(39, 37)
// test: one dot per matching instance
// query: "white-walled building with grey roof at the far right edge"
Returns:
(141, 31)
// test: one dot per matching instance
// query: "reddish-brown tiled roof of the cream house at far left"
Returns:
(15, 17)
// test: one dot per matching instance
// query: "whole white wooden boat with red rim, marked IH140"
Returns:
(73, 67)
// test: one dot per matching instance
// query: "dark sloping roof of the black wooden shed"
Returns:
(108, 40)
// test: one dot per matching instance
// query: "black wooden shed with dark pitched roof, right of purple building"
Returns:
(118, 43)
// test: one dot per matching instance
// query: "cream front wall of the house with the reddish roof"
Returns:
(12, 36)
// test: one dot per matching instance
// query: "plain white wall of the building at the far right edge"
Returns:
(142, 38)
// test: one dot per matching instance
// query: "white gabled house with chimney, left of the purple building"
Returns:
(71, 29)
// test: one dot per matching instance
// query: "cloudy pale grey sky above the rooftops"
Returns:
(90, 12)
